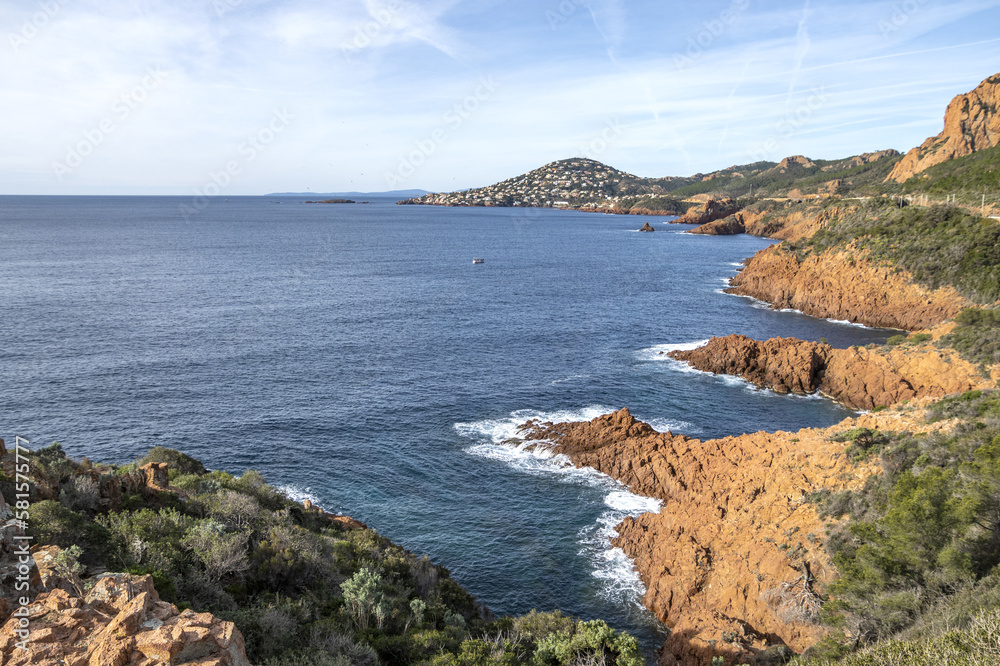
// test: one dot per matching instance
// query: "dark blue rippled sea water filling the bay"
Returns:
(356, 356)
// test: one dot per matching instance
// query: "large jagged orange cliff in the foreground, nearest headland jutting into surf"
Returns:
(735, 560)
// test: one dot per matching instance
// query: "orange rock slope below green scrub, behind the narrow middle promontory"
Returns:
(844, 285)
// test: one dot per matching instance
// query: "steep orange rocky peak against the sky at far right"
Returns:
(971, 123)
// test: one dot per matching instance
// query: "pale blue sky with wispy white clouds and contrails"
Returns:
(244, 97)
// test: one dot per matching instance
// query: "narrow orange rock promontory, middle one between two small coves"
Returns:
(858, 377)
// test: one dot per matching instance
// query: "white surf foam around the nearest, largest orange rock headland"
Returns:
(498, 439)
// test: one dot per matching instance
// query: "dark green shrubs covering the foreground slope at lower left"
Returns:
(302, 589)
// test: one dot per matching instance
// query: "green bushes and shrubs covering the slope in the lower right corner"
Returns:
(919, 547)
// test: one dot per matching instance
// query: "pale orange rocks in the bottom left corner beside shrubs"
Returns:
(120, 622)
